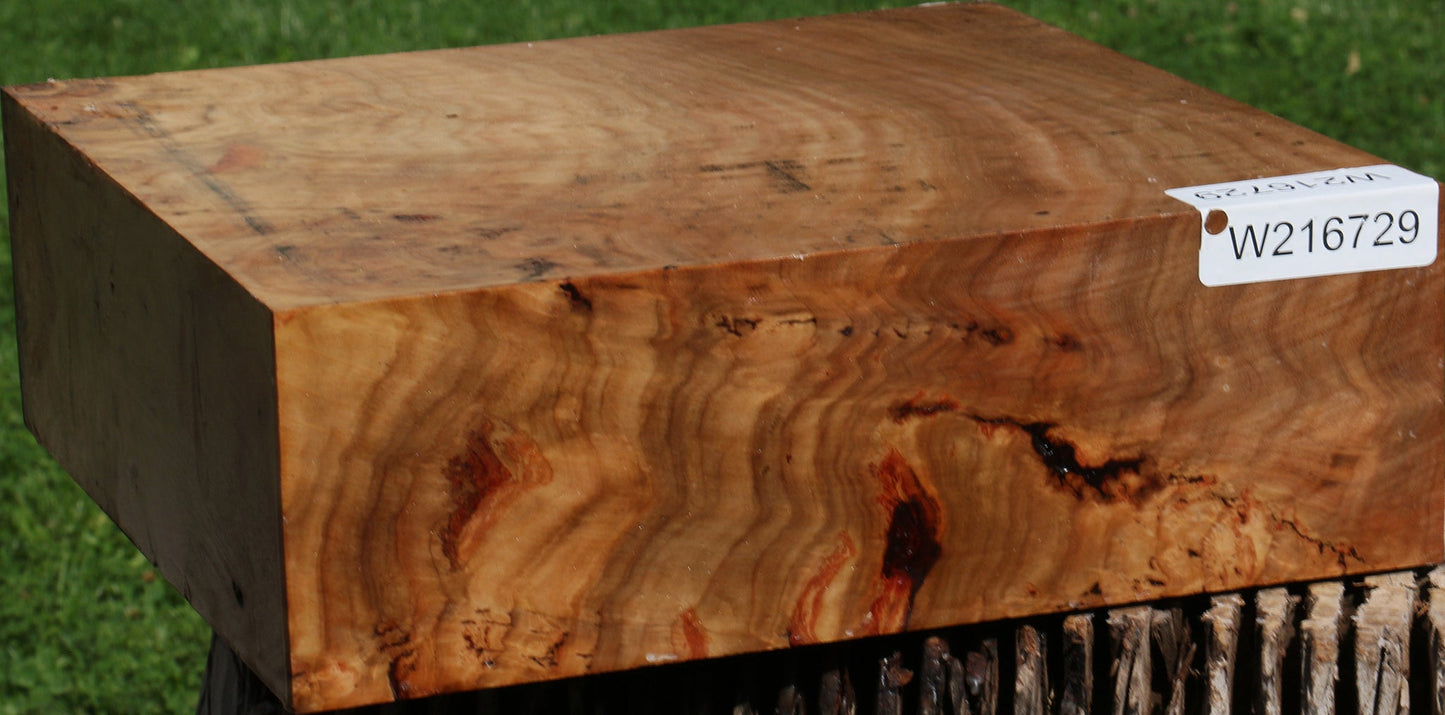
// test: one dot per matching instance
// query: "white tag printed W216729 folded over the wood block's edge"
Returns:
(1316, 225)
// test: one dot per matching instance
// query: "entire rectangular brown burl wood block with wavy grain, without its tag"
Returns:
(462, 369)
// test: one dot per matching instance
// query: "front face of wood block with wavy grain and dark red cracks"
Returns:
(567, 477)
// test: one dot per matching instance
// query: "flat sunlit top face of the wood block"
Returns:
(391, 177)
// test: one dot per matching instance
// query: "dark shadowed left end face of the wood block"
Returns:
(150, 375)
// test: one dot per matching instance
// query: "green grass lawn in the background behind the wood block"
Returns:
(86, 626)
